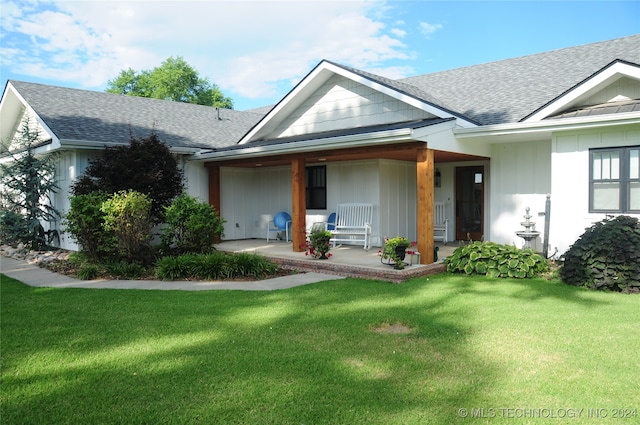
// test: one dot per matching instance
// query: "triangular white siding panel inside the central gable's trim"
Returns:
(344, 104)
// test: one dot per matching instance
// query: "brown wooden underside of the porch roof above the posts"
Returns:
(400, 152)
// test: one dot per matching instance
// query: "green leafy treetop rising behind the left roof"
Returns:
(173, 80)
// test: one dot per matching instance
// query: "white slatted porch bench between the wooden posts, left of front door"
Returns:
(352, 224)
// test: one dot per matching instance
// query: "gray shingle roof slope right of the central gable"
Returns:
(509, 90)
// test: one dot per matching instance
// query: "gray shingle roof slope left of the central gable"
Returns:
(74, 114)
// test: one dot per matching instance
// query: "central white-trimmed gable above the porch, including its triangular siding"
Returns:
(335, 97)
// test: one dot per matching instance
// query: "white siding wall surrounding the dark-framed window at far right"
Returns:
(570, 188)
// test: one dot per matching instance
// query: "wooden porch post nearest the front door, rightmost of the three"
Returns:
(425, 169)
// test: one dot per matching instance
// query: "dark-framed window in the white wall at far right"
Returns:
(614, 180)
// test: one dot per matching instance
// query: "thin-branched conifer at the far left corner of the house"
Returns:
(27, 182)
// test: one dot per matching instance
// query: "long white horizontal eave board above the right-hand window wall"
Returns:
(547, 126)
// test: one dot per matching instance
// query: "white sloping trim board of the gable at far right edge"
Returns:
(598, 80)
